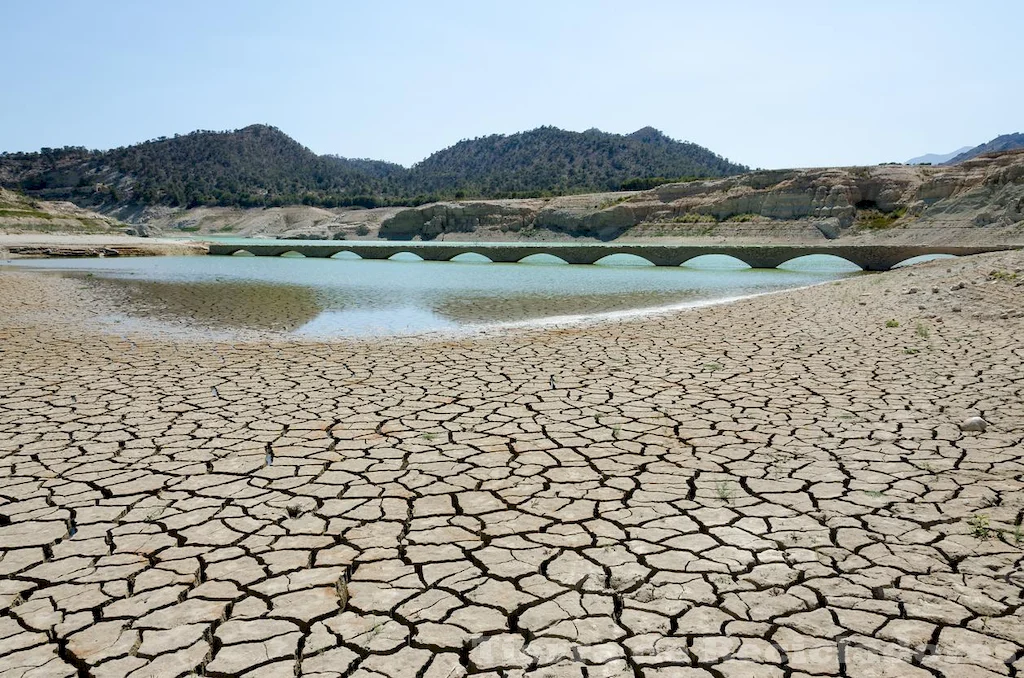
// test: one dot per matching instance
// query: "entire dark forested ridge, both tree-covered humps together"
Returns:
(261, 166)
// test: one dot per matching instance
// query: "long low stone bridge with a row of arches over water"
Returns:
(869, 258)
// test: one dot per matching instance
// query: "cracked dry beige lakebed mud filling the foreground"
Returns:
(773, 488)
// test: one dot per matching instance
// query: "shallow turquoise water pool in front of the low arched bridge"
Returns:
(357, 299)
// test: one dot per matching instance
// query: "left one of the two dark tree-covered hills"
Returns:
(254, 166)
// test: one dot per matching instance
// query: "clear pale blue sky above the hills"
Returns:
(770, 84)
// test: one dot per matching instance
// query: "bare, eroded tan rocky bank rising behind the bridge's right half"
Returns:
(978, 202)
